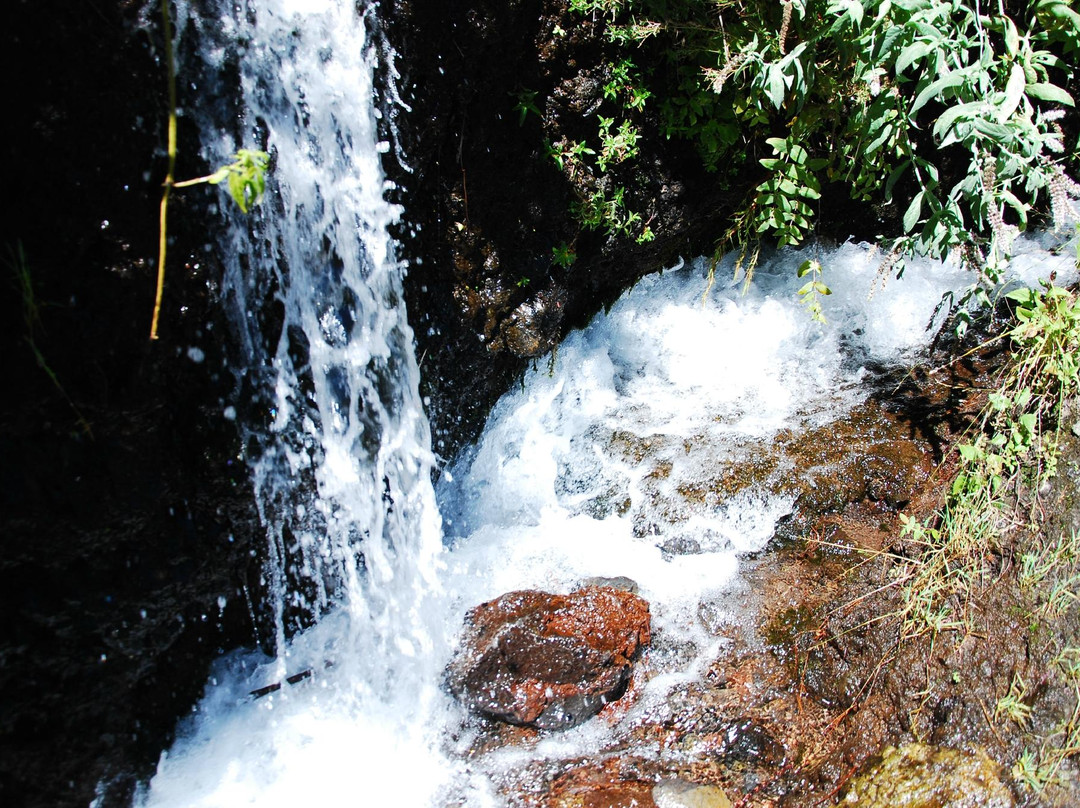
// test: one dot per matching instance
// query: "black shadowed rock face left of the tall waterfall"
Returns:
(127, 522)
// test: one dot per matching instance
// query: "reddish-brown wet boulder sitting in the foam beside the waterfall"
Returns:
(550, 662)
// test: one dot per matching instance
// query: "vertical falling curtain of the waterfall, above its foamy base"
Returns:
(333, 424)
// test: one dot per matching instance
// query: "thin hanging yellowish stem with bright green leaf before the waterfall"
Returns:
(246, 176)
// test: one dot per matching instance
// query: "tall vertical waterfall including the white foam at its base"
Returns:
(328, 405)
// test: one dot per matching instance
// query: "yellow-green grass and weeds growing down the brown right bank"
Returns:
(1012, 453)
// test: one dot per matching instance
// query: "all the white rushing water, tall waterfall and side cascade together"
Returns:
(580, 473)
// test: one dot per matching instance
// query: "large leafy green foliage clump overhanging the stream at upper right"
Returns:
(948, 111)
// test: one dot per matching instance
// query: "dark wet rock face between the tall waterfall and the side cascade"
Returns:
(492, 205)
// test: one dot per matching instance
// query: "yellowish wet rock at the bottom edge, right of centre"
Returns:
(926, 777)
